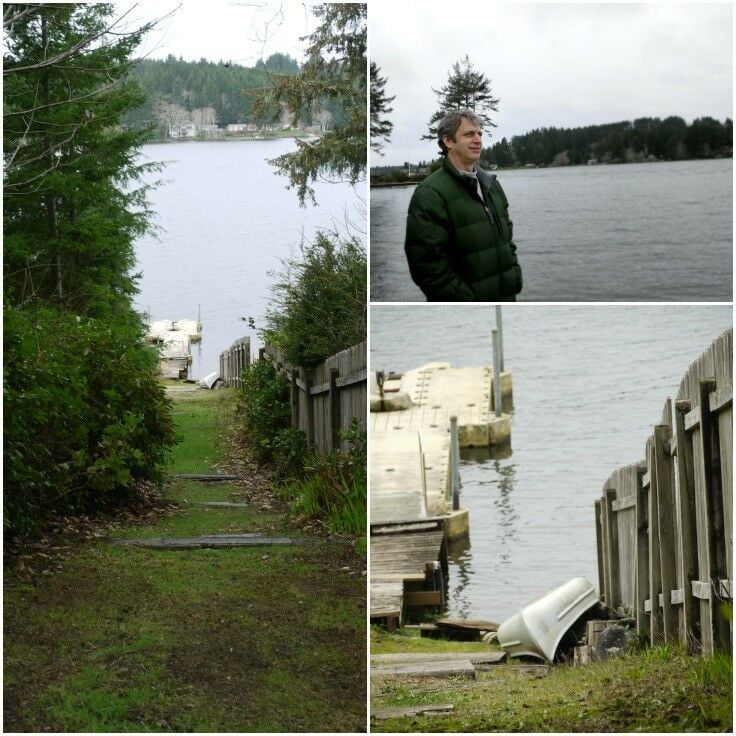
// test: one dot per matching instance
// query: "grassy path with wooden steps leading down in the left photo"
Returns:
(242, 639)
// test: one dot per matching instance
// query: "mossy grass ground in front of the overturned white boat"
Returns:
(656, 690)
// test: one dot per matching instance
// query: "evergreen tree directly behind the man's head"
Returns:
(465, 89)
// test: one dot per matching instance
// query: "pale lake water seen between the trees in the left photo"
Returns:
(226, 220)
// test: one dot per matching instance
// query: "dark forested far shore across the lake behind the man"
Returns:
(644, 139)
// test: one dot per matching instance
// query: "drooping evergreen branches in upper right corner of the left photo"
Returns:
(336, 70)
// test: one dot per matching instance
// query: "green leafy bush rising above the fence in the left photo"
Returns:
(318, 304)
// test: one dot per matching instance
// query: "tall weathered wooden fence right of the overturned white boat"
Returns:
(665, 525)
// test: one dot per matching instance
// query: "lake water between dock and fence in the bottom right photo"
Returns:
(589, 386)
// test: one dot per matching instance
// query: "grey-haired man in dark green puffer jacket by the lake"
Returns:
(459, 239)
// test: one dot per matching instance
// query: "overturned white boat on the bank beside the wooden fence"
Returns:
(537, 629)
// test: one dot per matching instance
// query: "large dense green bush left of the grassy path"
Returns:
(84, 416)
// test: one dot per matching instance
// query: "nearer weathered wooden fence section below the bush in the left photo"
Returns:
(325, 400)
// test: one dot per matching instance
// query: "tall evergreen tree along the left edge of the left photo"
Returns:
(71, 211)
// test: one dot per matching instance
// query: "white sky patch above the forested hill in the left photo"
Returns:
(241, 32)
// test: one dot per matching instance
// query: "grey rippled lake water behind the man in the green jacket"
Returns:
(629, 232)
